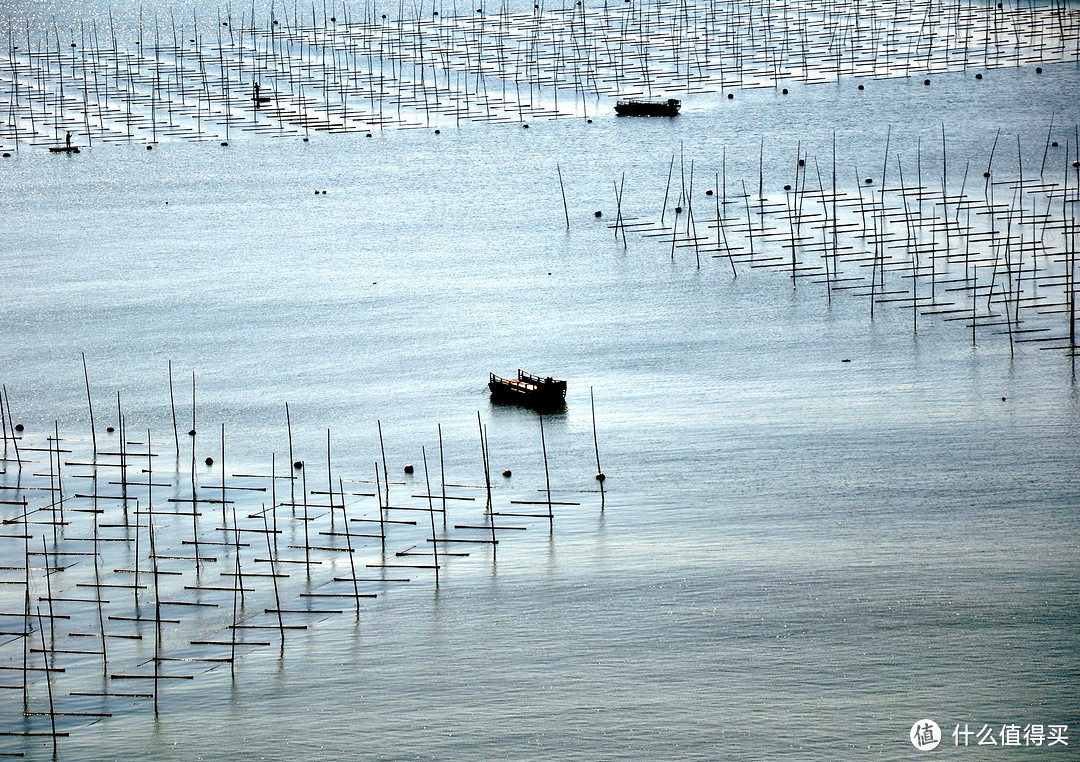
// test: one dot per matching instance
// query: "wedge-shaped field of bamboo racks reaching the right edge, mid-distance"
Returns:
(988, 250)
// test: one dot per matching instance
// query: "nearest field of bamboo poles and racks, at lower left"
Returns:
(121, 552)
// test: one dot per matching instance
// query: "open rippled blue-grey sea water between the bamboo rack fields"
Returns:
(795, 556)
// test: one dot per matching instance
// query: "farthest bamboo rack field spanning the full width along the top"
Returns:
(349, 69)
